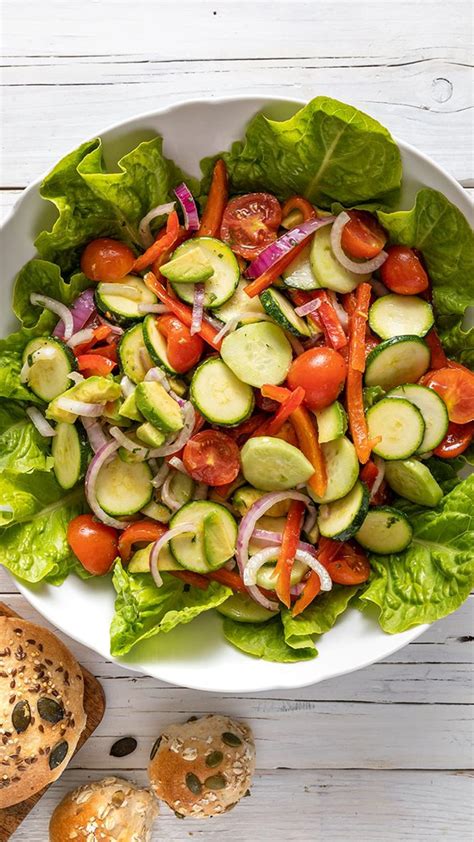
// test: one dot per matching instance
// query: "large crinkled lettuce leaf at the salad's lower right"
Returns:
(435, 574)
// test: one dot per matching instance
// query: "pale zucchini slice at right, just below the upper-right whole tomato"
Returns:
(400, 315)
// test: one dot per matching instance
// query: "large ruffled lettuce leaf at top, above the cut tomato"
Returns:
(328, 152)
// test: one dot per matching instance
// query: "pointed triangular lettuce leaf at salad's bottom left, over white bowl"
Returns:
(143, 610)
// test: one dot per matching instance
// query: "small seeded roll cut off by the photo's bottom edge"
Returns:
(110, 810)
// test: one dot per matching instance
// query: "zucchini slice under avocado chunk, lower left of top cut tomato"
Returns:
(222, 284)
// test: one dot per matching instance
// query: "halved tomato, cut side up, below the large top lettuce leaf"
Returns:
(250, 223)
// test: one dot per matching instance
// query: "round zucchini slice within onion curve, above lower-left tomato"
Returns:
(123, 488)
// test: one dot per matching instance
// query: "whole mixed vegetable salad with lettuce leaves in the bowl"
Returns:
(252, 393)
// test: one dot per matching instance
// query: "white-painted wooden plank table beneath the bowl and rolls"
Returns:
(383, 754)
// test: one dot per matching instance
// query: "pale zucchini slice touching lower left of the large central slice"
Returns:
(219, 395)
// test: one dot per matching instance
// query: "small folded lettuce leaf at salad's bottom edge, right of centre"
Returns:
(318, 618)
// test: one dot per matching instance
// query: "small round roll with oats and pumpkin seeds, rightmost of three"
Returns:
(203, 767)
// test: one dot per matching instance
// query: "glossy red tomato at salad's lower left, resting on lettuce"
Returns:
(94, 543)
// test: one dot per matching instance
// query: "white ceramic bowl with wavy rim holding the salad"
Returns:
(196, 655)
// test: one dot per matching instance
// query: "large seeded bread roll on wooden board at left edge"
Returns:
(41, 708)
